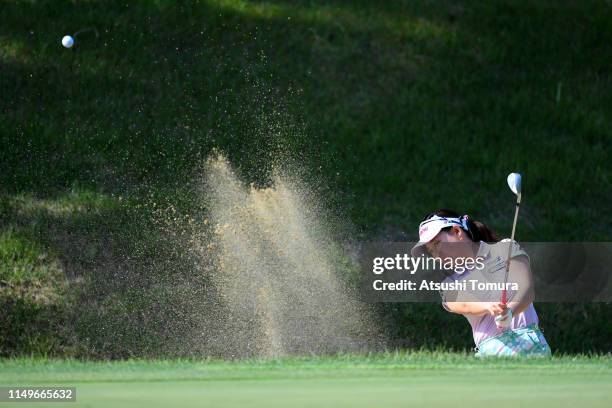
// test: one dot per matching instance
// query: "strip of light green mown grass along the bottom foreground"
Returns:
(389, 380)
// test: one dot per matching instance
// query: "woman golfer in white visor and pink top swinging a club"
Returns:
(499, 329)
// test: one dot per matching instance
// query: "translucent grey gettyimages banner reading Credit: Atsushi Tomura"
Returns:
(557, 271)
